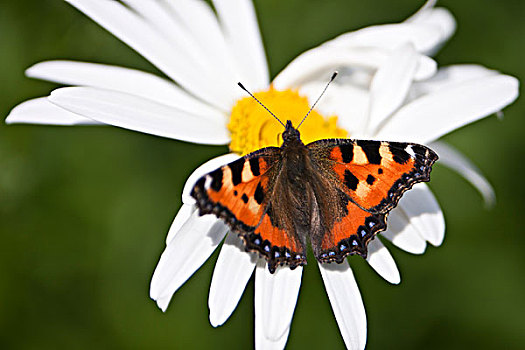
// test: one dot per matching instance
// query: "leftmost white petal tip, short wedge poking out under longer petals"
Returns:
(41, 111)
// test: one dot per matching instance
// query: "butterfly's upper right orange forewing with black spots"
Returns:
(374, 174)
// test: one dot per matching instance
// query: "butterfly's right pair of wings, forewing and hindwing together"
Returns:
(372, 176)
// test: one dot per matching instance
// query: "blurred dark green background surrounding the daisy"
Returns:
(84, 210)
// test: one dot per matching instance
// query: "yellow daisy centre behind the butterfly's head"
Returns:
(252, 127)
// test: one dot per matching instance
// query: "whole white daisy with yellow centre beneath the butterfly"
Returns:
(388, 89)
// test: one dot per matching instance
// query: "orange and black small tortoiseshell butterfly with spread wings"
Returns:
(335, 193)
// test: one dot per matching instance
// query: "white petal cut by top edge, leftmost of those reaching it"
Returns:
(139, 35)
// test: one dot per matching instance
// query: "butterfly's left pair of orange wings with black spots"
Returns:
(241, 194)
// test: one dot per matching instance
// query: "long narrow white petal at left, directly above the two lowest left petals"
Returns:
(121, 79)
